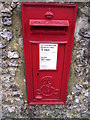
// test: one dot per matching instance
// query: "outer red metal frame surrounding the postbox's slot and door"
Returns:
(28, 58)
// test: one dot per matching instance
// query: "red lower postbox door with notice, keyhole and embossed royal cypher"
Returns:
(47, 67)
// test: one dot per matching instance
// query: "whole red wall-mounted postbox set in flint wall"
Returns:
(48, 32)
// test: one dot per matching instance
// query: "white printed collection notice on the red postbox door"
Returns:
(48, 56)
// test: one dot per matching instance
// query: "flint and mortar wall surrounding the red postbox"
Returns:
(13, 97)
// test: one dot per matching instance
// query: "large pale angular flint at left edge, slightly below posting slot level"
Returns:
(6, 34)
